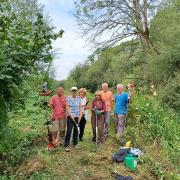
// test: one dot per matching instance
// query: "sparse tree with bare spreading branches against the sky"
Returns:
(107, 22)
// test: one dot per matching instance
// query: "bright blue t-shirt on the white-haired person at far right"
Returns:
(121, 102)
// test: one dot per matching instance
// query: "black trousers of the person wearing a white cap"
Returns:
(70, 126)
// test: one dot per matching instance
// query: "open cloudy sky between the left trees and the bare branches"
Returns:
(71, 48)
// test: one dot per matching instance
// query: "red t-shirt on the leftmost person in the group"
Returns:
(59, 107)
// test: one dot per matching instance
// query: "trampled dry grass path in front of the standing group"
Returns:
(84, 163)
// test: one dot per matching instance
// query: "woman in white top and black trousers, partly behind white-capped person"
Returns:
(84, 103)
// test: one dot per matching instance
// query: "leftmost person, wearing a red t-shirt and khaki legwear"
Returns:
(58, 105)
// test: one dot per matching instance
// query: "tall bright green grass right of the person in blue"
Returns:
(157, 123)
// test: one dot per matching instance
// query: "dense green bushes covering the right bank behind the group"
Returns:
(128, 63)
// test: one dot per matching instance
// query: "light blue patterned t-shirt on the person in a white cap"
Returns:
(74, 104)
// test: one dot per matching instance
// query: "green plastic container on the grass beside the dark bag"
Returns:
(130, 162)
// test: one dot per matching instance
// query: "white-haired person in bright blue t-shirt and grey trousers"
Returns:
(121, 104)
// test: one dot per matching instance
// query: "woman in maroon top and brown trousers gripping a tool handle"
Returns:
(98, 108)
